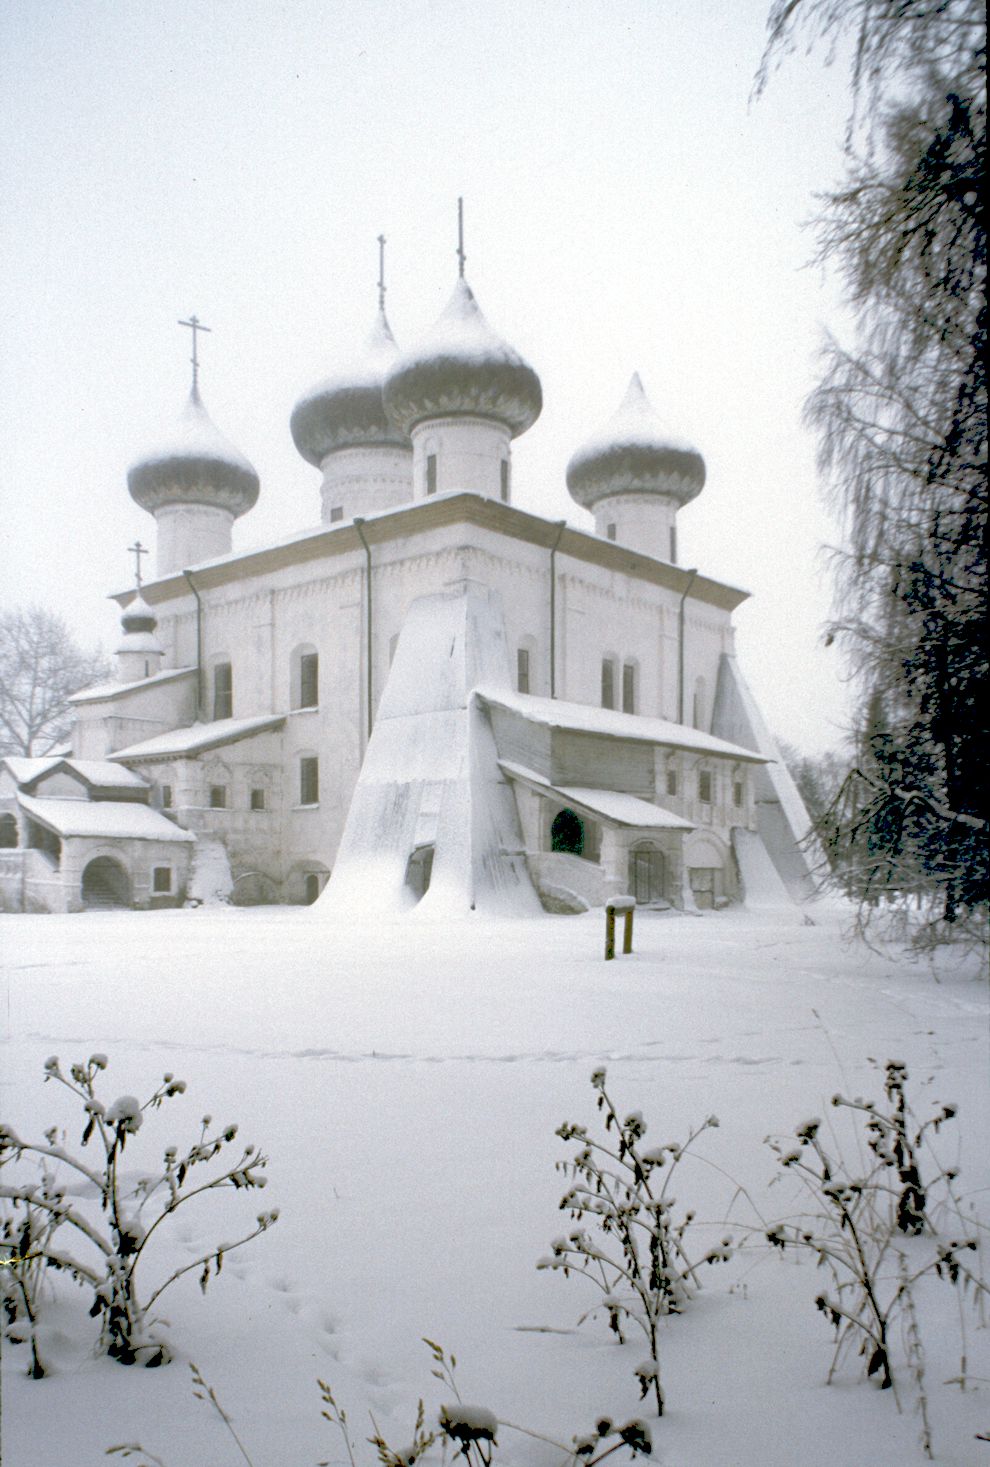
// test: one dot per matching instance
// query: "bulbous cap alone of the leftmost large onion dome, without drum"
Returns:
(194, 464)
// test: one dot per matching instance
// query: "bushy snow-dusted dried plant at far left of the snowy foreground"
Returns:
(95, 1223)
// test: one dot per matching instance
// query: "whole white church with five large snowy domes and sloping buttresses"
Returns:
(436, 699)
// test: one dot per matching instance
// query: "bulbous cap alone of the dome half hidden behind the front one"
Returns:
(347, 410)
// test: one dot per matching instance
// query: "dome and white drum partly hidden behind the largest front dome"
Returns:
(341, 428)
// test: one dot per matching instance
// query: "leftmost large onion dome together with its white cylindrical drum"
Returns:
(196, 485)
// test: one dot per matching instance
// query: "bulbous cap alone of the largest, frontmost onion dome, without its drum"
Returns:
(464, 369)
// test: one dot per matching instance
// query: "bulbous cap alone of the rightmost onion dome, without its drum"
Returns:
(633, 454)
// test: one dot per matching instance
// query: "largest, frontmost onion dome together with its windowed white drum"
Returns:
(463, 394)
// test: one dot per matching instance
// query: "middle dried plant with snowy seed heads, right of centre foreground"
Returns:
(637, 1256)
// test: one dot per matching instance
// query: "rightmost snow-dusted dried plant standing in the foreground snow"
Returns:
(872, 1229)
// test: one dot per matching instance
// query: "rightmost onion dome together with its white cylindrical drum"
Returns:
(634, 476)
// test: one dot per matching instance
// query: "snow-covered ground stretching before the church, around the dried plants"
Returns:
(407, 1083)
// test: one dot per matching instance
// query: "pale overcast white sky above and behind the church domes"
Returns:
(627, 209)
